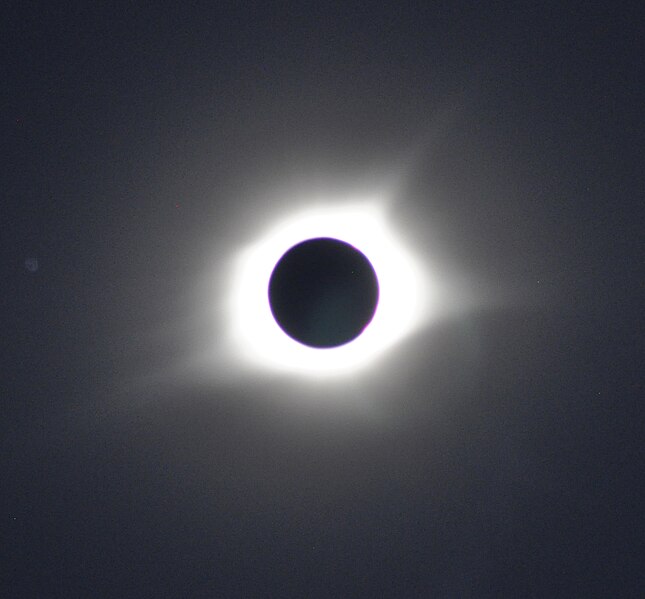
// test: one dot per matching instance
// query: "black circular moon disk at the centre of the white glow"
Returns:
(323, 292)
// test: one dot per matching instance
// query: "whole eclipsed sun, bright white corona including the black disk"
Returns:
(324, 292)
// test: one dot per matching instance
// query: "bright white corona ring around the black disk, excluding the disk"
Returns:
(256, 339)
